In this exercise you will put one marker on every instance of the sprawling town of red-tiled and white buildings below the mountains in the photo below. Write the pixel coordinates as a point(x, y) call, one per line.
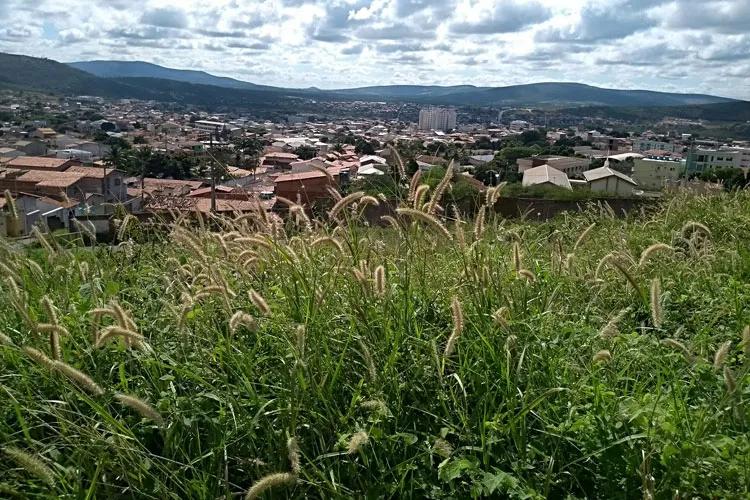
point(95, 154)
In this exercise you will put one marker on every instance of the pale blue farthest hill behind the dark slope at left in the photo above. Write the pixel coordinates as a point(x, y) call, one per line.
point(137, 69)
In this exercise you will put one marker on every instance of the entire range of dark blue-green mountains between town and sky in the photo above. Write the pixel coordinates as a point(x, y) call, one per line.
point(146, 81)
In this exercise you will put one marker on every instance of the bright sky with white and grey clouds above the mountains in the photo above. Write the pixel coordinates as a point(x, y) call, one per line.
point(671, 45)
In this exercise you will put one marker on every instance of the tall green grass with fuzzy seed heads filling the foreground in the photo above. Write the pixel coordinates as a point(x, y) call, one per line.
point(586, 357)
